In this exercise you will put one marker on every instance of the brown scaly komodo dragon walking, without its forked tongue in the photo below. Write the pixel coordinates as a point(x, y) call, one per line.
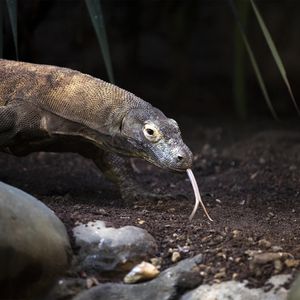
point(48, 108)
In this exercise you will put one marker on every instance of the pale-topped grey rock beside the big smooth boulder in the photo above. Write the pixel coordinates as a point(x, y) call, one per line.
point(104, 249)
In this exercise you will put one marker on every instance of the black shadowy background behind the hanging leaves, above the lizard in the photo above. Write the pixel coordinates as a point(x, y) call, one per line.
point(178, 55)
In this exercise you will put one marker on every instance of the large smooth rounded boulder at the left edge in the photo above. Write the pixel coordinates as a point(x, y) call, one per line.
point(34, 245)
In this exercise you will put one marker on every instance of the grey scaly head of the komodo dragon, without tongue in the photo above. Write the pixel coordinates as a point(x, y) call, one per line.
point(150, 135)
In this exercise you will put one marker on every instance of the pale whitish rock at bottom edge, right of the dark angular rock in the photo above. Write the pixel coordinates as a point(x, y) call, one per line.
point(233, 290)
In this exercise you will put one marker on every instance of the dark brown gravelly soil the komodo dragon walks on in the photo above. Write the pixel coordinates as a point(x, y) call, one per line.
point(249, 178)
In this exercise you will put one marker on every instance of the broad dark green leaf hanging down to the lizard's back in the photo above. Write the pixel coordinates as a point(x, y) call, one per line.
point(95, 11)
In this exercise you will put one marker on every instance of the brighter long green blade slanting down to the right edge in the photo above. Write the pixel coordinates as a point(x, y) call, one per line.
point(274, 52)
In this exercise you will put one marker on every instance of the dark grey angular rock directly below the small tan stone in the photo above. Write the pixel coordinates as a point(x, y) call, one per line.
point(168, 285)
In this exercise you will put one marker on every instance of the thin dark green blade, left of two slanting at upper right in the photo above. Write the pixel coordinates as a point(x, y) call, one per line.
point(253, 60)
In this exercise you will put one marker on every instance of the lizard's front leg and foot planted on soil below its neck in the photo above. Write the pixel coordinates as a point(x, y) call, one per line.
point(118, 169)
